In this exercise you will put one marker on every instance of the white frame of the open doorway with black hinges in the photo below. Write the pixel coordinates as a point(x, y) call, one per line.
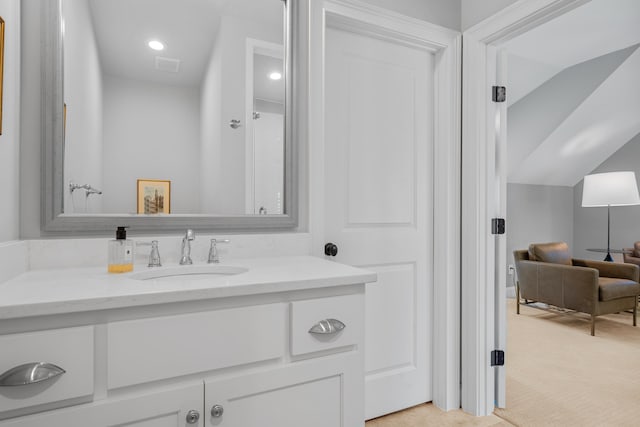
point(481, 170)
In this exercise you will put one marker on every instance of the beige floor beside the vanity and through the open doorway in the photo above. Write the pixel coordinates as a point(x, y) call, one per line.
point(557, 375)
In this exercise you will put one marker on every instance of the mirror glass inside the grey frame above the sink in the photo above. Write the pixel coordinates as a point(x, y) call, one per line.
point(189, 93)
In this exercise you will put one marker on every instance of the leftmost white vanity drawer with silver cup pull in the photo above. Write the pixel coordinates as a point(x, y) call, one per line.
point(70, 349)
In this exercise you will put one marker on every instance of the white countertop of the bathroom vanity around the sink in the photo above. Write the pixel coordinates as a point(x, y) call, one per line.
point(70, 290)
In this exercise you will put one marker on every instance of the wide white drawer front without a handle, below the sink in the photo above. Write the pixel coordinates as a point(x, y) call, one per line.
point(164, 347)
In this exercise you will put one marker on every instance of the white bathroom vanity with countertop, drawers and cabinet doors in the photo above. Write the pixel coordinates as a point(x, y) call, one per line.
point(257, 342)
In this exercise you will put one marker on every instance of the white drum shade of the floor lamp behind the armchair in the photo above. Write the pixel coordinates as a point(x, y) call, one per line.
point(610, 189)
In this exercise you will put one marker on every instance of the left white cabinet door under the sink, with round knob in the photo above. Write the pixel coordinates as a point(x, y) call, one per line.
point(167, 408)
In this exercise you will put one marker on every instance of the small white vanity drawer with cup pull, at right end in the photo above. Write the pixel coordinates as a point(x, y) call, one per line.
point(349, 310)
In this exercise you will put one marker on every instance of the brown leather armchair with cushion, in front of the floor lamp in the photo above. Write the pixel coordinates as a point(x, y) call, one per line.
point(548, 274)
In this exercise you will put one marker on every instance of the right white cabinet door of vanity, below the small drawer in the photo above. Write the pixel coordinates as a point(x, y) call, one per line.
point(325, 393)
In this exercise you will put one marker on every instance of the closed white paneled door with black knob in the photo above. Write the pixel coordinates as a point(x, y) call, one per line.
point(379, 202)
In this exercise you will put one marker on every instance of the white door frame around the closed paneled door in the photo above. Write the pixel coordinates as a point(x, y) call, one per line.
point(446, 46)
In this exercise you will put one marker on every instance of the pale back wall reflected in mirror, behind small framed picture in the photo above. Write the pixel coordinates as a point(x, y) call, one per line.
point(151, 131)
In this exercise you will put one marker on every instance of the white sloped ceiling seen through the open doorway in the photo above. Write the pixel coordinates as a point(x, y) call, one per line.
point(569, 112)
